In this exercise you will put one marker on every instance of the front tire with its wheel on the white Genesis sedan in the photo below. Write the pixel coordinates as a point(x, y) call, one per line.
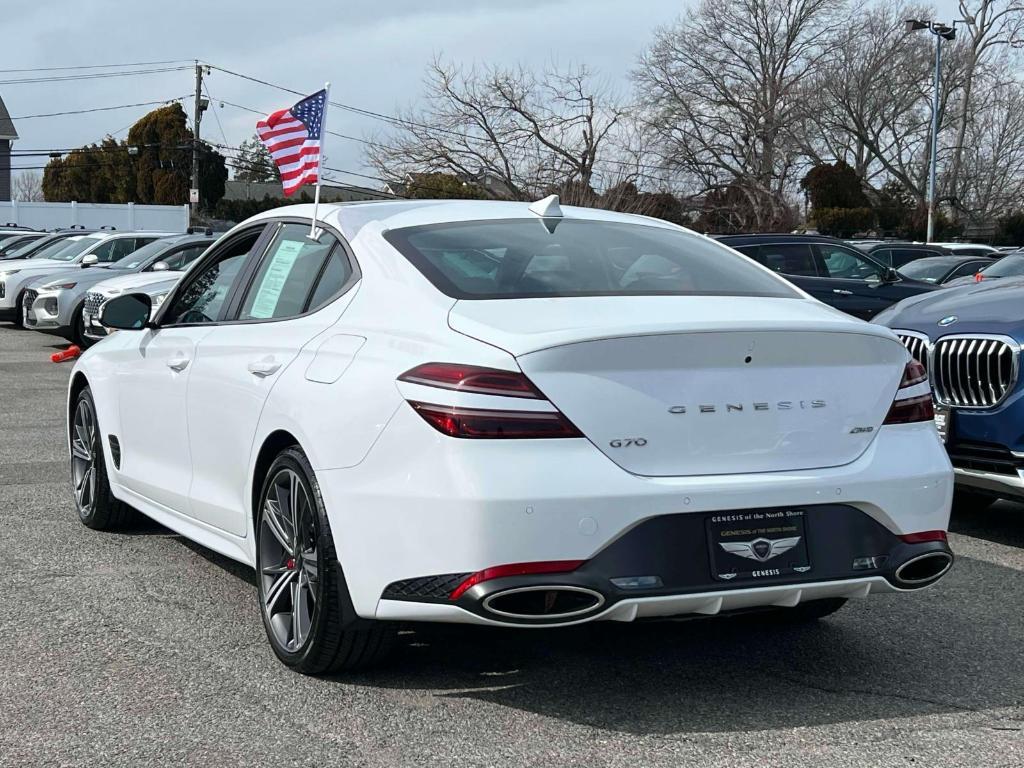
point(98, 508)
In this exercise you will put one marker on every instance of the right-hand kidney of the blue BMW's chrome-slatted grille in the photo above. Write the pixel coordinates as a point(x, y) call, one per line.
point(973, 371)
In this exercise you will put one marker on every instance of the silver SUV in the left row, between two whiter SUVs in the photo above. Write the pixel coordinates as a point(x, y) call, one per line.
point(54, 304)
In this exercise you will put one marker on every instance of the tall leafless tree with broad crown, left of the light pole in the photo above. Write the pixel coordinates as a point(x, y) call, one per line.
point(724, 90)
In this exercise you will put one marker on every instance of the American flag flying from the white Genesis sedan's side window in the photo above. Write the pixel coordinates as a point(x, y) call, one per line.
point(293, 138)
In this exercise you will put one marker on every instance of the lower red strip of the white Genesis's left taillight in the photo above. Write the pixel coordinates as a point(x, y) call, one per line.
point(481, 423)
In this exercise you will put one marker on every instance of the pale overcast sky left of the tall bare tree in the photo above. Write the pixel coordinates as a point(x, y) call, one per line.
point(374, 55)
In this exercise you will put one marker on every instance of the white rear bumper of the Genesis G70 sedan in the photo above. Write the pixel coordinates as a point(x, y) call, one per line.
point(422, 504)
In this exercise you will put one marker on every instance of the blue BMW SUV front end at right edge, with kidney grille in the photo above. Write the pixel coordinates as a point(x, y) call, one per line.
point(970, 339)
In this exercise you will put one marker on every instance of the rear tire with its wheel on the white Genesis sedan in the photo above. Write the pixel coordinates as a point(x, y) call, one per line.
point(334, 639)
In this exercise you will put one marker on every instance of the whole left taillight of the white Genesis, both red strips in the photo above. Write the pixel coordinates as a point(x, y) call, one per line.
point(458, 421)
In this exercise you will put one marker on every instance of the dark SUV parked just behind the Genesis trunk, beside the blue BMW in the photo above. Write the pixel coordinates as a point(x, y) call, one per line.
point(831, 271)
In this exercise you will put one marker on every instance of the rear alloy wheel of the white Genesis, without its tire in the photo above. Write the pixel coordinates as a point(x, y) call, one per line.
point(289, 561)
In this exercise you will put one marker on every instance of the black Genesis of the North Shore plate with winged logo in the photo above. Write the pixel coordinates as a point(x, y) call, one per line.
point(759, 545)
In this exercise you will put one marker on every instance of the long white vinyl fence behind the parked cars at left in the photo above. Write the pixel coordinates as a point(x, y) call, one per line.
point(122, 217)
